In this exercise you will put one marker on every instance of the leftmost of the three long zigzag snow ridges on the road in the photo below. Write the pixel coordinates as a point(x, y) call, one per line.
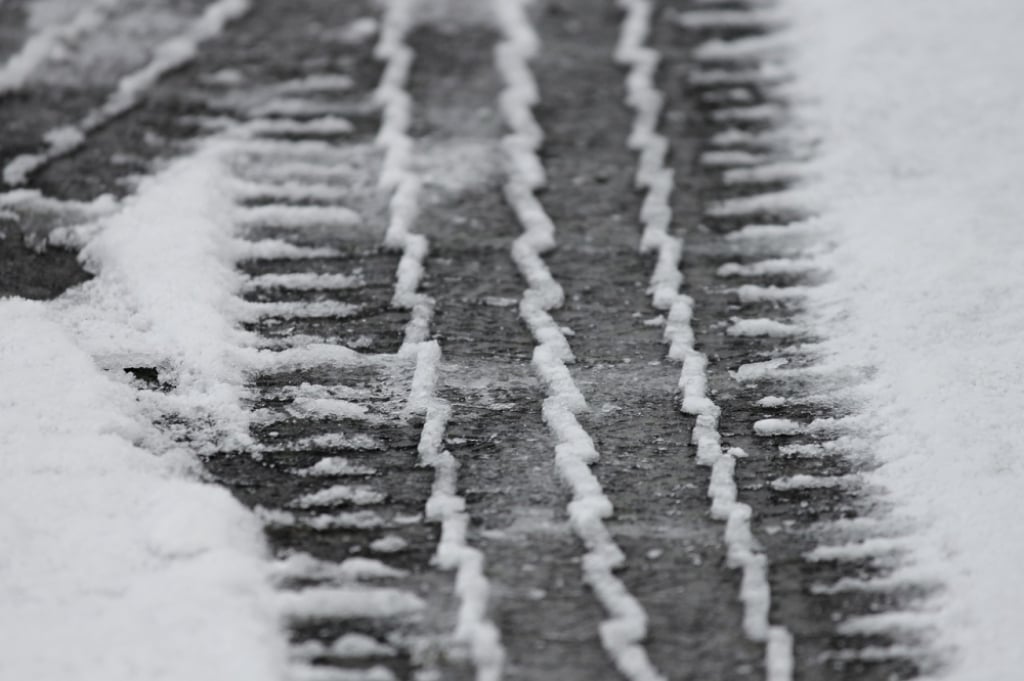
point(474, 628)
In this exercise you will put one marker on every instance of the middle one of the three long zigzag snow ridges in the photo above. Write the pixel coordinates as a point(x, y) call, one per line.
point(626, 628)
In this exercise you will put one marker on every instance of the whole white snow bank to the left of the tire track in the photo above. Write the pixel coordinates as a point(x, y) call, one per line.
point(111, 542)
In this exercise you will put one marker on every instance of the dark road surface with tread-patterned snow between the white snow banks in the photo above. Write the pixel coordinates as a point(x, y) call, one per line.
point(541, 402)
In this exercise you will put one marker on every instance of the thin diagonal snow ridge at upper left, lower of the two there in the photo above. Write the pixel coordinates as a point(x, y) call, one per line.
point(172, 55)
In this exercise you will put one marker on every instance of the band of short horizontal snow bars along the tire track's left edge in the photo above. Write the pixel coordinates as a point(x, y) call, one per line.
point(328, 471)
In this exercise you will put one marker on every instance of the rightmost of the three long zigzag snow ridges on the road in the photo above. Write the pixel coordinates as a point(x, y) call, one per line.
point(656, 215)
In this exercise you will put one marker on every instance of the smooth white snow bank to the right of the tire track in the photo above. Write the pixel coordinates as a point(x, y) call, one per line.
point(923, 120)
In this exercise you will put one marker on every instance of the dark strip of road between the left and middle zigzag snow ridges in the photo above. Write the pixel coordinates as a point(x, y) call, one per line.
point(496, 431)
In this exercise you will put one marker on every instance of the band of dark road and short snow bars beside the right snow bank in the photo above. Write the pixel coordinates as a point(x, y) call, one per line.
point(790, 415)
